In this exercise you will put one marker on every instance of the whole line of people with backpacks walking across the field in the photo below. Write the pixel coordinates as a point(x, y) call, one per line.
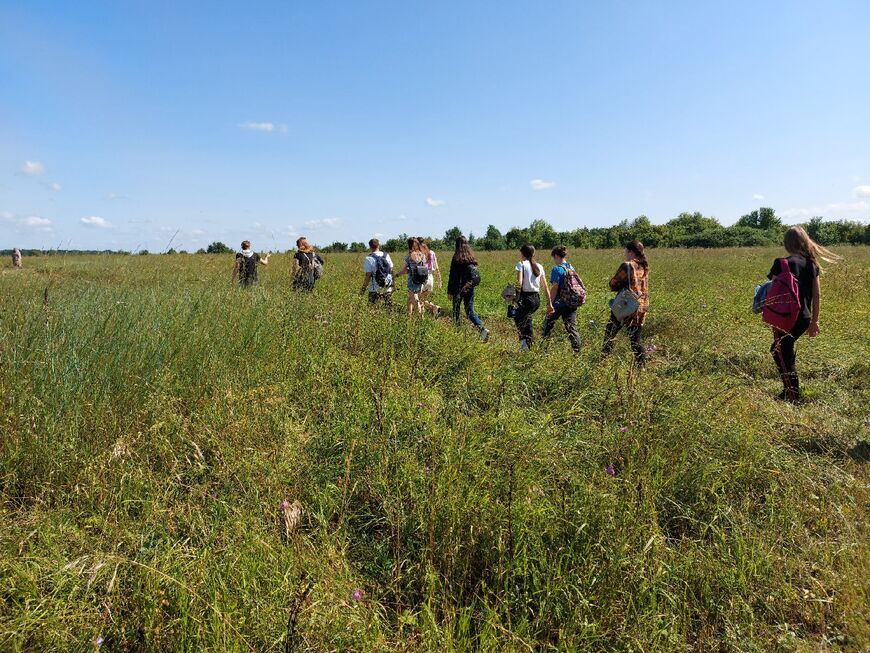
point(563, 292)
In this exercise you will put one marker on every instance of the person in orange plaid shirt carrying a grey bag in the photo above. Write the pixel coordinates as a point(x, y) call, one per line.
point(632, 276)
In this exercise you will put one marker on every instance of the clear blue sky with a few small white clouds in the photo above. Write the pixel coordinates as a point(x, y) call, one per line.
point(124, 122)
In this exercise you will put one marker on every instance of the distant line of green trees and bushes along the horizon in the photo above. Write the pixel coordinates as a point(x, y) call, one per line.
point(755, 229)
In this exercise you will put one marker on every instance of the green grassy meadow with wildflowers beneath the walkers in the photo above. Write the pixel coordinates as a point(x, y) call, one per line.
point(454, 497)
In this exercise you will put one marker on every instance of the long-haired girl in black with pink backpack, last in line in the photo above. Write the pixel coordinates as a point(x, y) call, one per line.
point(803, 261)
